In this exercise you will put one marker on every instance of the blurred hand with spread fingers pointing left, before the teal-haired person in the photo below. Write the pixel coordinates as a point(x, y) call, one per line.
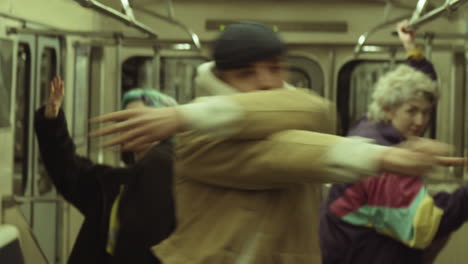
point(139, 127)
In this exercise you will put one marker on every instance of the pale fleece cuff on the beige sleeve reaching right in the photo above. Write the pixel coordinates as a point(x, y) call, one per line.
point(354, 158)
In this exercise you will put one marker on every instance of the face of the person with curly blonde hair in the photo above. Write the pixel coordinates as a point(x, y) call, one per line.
point(412, 117)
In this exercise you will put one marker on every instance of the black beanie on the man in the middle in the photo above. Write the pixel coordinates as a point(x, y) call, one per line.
point(244, 43)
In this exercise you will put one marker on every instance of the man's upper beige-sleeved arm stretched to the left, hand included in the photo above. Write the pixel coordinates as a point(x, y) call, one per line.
point(254, 115)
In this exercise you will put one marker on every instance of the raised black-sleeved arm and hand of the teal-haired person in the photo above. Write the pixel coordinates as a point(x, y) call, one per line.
point(76, 178)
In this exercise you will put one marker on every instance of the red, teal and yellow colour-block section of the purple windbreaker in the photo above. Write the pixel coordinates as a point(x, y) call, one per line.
point(393, 205)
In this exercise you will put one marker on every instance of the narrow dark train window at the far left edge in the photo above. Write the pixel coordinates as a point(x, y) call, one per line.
point(6, 60)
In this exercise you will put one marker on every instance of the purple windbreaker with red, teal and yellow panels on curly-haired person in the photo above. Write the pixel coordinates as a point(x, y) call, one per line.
point(387, 216)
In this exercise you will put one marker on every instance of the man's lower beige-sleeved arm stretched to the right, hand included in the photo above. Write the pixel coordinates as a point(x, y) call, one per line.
point(292, 157)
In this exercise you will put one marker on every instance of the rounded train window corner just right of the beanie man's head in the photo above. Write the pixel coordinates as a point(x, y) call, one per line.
point(306, 73)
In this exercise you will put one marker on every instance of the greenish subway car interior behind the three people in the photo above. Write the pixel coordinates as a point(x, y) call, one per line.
point(103, 48)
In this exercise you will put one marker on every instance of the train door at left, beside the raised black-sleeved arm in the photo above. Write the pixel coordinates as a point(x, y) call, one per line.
point(38, 61)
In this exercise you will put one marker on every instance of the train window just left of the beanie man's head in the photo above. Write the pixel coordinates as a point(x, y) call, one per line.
point(178, 77)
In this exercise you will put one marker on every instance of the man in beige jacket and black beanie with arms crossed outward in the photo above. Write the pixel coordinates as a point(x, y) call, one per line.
point(249, 170)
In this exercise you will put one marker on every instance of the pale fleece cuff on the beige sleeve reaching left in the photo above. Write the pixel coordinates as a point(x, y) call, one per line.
point(214, 116)
